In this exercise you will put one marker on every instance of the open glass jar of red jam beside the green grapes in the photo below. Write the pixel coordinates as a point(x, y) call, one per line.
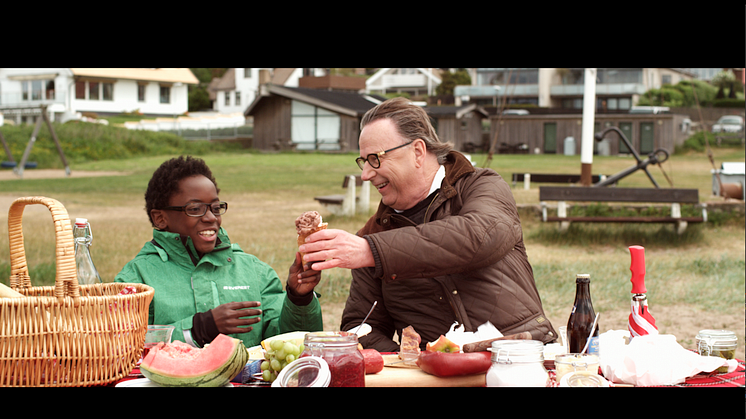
point(339, 350)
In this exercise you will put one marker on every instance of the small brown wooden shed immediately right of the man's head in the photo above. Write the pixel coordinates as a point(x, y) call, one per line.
point(461, 125)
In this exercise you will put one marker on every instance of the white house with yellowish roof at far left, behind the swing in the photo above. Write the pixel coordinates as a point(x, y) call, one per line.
point(70, 92)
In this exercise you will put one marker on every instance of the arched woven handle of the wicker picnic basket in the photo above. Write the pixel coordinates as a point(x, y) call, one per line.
point(66, 279)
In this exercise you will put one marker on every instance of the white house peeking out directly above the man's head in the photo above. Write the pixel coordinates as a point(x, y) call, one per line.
point(415, 81)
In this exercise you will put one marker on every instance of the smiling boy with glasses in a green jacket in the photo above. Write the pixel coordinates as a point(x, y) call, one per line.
point(204, 284)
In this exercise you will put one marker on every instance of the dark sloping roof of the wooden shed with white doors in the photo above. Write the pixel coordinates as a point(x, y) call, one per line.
point(351, 104)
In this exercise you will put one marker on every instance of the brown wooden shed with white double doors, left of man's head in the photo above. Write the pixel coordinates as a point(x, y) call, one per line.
point(307, 119)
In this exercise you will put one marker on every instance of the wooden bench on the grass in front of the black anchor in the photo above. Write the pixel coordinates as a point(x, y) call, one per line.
point(675, 197)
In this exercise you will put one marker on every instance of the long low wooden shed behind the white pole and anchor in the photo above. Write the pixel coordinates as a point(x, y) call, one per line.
point(549, 133)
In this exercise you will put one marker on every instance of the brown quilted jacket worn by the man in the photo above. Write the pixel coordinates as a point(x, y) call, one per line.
point(466, 263)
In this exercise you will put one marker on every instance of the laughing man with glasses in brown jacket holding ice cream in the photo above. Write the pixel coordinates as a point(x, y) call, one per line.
point(445, 245)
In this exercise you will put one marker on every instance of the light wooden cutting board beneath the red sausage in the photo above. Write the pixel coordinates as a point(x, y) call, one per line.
point(400, 375)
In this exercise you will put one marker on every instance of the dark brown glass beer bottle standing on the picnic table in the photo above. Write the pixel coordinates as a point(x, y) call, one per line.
point(581, 319)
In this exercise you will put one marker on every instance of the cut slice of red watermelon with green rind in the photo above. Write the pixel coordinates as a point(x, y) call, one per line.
point(177, 364)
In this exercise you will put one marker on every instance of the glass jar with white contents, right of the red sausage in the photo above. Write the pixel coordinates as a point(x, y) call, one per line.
point(517, 363)
